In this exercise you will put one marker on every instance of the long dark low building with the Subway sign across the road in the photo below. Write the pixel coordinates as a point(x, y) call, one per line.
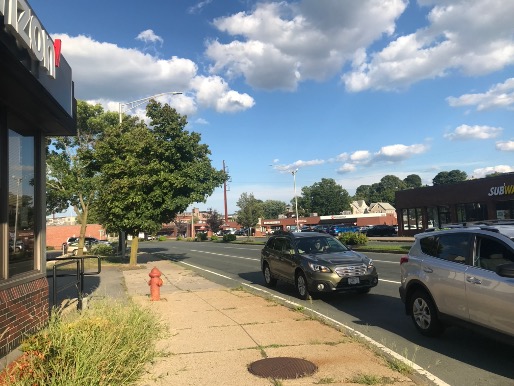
point(490, 198)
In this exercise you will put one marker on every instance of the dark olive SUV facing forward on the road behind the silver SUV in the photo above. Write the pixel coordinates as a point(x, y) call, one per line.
point(316, 263)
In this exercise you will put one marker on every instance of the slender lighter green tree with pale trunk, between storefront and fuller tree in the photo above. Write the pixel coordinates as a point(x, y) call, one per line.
point(72, 180)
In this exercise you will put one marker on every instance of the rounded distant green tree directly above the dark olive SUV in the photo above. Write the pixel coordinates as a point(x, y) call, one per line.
point(325, 197)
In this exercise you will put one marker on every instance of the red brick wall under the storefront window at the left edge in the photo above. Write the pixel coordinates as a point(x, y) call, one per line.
point(23, 309)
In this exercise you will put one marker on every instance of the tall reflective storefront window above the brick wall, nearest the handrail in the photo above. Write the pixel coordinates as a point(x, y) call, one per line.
point(21, 203)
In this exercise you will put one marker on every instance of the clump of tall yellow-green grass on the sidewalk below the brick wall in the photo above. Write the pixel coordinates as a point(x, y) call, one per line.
point(106, 344)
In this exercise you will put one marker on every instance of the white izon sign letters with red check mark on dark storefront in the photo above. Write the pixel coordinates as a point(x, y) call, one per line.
point(22, 23)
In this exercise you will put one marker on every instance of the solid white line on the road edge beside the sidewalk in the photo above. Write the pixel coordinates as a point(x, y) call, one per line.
point(418, 369)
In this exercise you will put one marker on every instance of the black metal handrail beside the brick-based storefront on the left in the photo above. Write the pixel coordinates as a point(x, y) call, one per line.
point(80, 273)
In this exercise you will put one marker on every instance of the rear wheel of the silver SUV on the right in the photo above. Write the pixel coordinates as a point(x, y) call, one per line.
point(424, 314)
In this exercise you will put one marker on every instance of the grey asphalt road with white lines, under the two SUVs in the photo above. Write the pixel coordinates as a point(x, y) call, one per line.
point(459, 357)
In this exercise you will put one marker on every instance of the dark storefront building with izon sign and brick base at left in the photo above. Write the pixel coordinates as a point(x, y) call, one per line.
point(36, 101)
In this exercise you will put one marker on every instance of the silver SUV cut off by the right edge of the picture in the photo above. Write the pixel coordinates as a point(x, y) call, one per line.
point(461, 276)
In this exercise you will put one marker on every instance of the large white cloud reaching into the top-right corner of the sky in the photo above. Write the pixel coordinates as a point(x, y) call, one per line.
point(473, 37)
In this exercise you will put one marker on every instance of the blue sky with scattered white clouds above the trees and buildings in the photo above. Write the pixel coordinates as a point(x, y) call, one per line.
point(352, 90)
